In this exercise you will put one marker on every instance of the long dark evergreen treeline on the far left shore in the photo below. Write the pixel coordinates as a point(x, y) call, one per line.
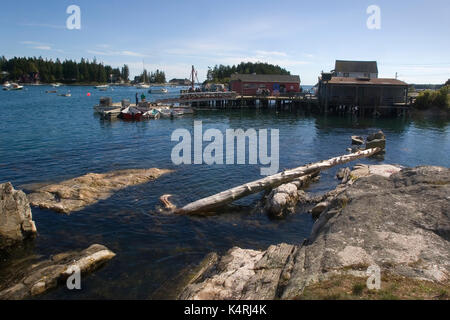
point(31, 70)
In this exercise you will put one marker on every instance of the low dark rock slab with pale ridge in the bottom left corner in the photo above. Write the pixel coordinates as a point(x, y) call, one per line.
point(48, 274)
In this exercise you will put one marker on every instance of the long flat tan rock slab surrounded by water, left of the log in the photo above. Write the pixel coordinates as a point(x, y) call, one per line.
point(78, 193)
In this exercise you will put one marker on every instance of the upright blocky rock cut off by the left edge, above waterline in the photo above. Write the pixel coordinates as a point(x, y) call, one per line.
point(16, 222)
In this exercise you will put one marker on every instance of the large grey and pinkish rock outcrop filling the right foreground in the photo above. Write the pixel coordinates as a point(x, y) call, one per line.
point(399, 222)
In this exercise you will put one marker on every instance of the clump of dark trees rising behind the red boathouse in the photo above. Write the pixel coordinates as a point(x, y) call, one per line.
point(221, 73)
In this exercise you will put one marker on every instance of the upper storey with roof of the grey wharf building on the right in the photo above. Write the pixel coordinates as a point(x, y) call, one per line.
point(356, 69)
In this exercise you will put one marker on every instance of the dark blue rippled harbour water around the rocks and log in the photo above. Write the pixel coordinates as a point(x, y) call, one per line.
point(45, 137)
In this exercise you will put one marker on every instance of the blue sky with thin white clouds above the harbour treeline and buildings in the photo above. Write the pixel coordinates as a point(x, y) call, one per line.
point(305, 37)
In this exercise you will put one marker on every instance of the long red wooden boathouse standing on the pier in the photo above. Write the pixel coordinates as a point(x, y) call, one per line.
point(251, 84)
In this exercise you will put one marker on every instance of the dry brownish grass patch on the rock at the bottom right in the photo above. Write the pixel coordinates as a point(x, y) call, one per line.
point(393, 287)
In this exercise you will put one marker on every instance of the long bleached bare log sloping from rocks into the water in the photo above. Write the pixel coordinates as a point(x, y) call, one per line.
point(210, 203)
